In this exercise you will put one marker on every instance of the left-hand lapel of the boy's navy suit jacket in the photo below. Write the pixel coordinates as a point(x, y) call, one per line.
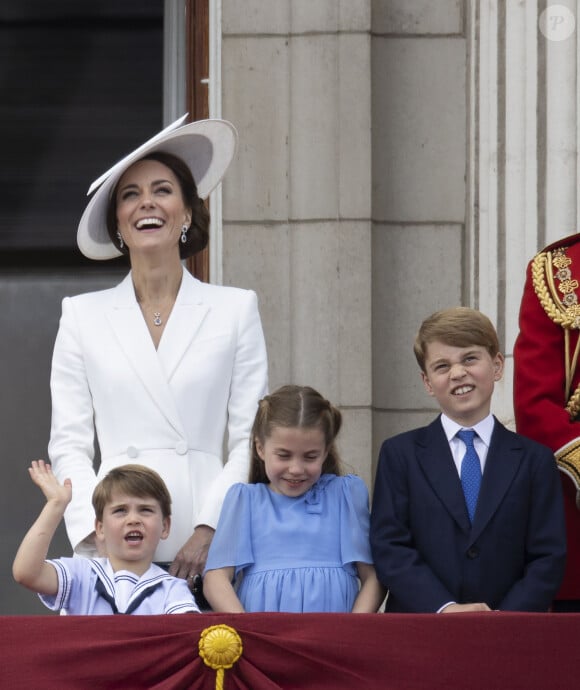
point(434, 456)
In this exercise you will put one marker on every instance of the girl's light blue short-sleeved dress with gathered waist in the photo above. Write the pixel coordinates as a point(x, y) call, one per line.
point(295, 554)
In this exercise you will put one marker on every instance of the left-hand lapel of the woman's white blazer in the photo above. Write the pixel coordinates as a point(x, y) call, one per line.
point(135, 341)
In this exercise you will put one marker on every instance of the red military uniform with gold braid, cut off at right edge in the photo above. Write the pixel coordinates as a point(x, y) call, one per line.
point(547, 378)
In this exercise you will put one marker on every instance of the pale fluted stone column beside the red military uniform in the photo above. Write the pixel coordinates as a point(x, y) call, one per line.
point(523, 159)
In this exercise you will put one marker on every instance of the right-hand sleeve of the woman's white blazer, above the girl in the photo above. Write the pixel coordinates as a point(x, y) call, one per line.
point(249, 383)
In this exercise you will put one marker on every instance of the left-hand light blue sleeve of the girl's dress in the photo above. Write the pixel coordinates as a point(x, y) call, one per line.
point(231, 545)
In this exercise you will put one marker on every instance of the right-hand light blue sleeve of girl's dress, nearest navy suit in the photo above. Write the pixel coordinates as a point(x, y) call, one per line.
point(354, 520)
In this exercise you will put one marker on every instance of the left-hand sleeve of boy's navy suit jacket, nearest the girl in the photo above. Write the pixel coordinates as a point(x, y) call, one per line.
point(398, 563)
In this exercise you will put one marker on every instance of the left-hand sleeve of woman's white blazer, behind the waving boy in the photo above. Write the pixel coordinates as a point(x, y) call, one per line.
point(71, 447)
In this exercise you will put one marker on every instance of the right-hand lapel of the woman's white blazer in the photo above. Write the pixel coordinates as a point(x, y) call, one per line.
point(183, 325)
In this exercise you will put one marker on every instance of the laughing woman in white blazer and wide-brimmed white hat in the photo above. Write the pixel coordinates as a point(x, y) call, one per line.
point(161, 366)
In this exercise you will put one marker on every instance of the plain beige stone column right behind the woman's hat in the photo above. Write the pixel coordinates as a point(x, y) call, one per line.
point(296, 83)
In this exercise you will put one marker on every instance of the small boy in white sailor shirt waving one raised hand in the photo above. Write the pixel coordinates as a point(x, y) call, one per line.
point(133, 512)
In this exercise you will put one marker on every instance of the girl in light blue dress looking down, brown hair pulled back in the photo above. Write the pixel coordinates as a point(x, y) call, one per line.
point(295, 538)
